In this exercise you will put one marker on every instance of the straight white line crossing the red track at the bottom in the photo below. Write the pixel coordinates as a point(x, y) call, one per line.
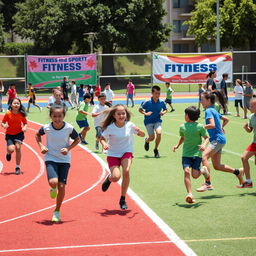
point(84, 246)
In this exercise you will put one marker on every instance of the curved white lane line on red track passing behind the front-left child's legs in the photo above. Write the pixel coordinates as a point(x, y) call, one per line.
point(103, 173)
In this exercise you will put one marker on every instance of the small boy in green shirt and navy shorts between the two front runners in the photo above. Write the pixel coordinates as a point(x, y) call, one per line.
point(81, 118)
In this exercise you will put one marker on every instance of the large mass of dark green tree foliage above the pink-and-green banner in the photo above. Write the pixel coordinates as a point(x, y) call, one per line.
point(58, 26)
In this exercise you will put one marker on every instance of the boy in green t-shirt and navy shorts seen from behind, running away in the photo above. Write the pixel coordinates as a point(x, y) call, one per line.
point(191, 134)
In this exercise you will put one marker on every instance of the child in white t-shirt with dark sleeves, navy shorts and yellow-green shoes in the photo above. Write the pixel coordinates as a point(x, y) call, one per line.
point(57, 155)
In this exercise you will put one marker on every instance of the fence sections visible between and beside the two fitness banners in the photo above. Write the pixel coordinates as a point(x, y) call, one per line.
point(118, 68)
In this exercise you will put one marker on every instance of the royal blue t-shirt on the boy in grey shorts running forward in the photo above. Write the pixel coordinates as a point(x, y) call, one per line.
point(151, 106)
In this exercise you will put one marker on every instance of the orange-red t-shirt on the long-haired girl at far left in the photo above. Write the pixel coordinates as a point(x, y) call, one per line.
point(14, 121)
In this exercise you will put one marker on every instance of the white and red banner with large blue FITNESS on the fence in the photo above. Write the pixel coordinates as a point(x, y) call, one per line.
point(190, 68)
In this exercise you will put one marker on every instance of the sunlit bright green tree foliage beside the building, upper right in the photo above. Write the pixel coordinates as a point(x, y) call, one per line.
point(237, 22)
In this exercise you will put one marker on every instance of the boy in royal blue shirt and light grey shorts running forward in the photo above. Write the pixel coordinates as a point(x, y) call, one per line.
point(153, 109)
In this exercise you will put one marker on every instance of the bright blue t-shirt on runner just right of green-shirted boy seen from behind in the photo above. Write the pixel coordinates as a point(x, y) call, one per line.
point(215, 133)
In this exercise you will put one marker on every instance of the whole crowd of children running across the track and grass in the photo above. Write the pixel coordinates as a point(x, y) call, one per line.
point(114, 131)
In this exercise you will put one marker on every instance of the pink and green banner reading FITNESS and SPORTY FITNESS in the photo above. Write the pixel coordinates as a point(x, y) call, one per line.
point(48, 71)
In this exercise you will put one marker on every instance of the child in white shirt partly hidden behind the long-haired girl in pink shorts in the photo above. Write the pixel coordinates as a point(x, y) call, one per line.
point(98, 113)
